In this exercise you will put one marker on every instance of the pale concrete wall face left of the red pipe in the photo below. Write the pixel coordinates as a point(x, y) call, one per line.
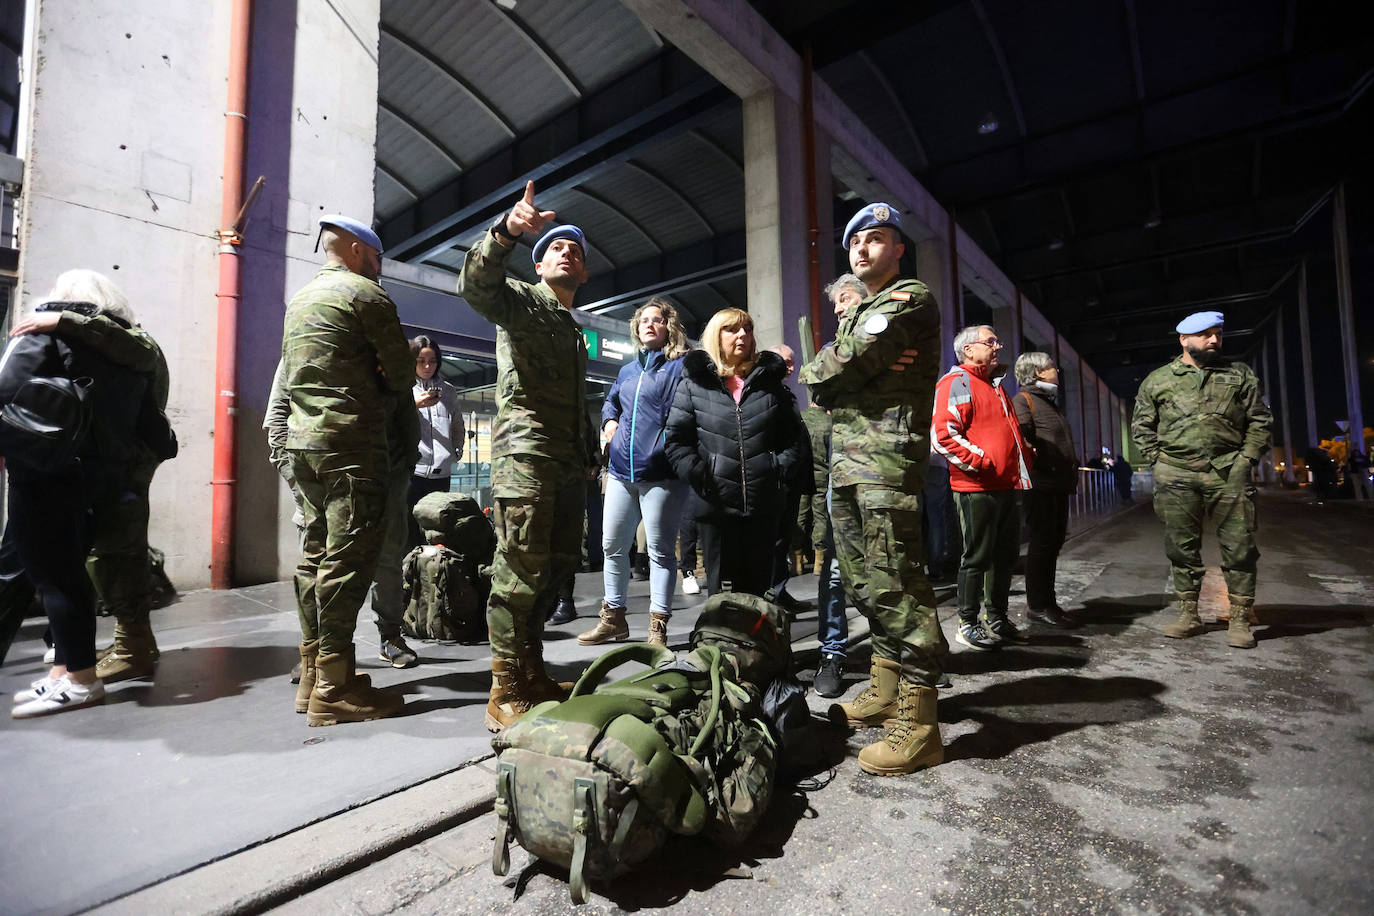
point(123, 176)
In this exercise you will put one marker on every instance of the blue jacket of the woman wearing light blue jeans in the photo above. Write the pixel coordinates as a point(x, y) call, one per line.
point(640, 403)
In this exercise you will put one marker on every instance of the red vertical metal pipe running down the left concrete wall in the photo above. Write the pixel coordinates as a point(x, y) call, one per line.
point(223, 481)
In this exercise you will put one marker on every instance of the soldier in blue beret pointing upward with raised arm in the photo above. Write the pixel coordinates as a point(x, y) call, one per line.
point(543, 444)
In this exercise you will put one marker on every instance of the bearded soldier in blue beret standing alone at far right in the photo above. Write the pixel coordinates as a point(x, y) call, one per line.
point(1203, 426)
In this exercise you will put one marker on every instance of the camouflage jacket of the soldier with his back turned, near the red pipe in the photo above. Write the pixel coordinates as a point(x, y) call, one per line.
point(344, 358)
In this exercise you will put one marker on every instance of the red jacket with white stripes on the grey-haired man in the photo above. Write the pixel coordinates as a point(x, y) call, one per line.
point(975, 429)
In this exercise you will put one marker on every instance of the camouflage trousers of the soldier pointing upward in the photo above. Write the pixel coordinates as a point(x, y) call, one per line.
point(539, 513)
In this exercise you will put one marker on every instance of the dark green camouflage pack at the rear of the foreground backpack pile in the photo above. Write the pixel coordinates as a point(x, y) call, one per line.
point(751, 630)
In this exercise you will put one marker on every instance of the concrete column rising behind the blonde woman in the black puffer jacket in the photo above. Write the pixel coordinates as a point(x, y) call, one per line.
point(776, 218)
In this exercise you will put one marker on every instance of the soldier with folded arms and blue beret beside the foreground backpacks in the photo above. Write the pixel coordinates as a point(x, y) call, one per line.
point(879, 381)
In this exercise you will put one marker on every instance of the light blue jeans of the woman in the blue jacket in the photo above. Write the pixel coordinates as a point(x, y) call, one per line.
point(659, 503)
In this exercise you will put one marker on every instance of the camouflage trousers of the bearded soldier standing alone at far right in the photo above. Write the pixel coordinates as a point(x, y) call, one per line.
point(1185, 501)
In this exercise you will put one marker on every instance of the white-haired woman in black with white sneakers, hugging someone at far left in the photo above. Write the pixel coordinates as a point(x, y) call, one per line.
point(86, 332)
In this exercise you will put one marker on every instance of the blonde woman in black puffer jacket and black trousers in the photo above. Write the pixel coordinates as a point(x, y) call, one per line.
point(734, 435)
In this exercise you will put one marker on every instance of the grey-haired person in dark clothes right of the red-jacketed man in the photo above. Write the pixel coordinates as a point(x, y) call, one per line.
point(1055, 477)
